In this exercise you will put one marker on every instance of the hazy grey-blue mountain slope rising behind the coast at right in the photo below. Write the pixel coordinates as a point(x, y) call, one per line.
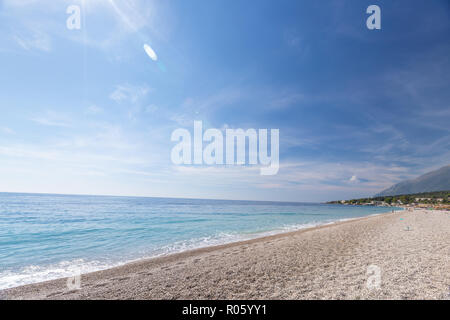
point(438, 180)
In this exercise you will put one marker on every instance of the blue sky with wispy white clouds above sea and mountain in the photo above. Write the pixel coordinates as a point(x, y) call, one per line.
point(90, 111)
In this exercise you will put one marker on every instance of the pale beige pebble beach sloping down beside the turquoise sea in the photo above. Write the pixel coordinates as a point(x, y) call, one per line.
point(208, 273)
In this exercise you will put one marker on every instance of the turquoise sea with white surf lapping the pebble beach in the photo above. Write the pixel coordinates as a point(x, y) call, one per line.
point(46, 237)
